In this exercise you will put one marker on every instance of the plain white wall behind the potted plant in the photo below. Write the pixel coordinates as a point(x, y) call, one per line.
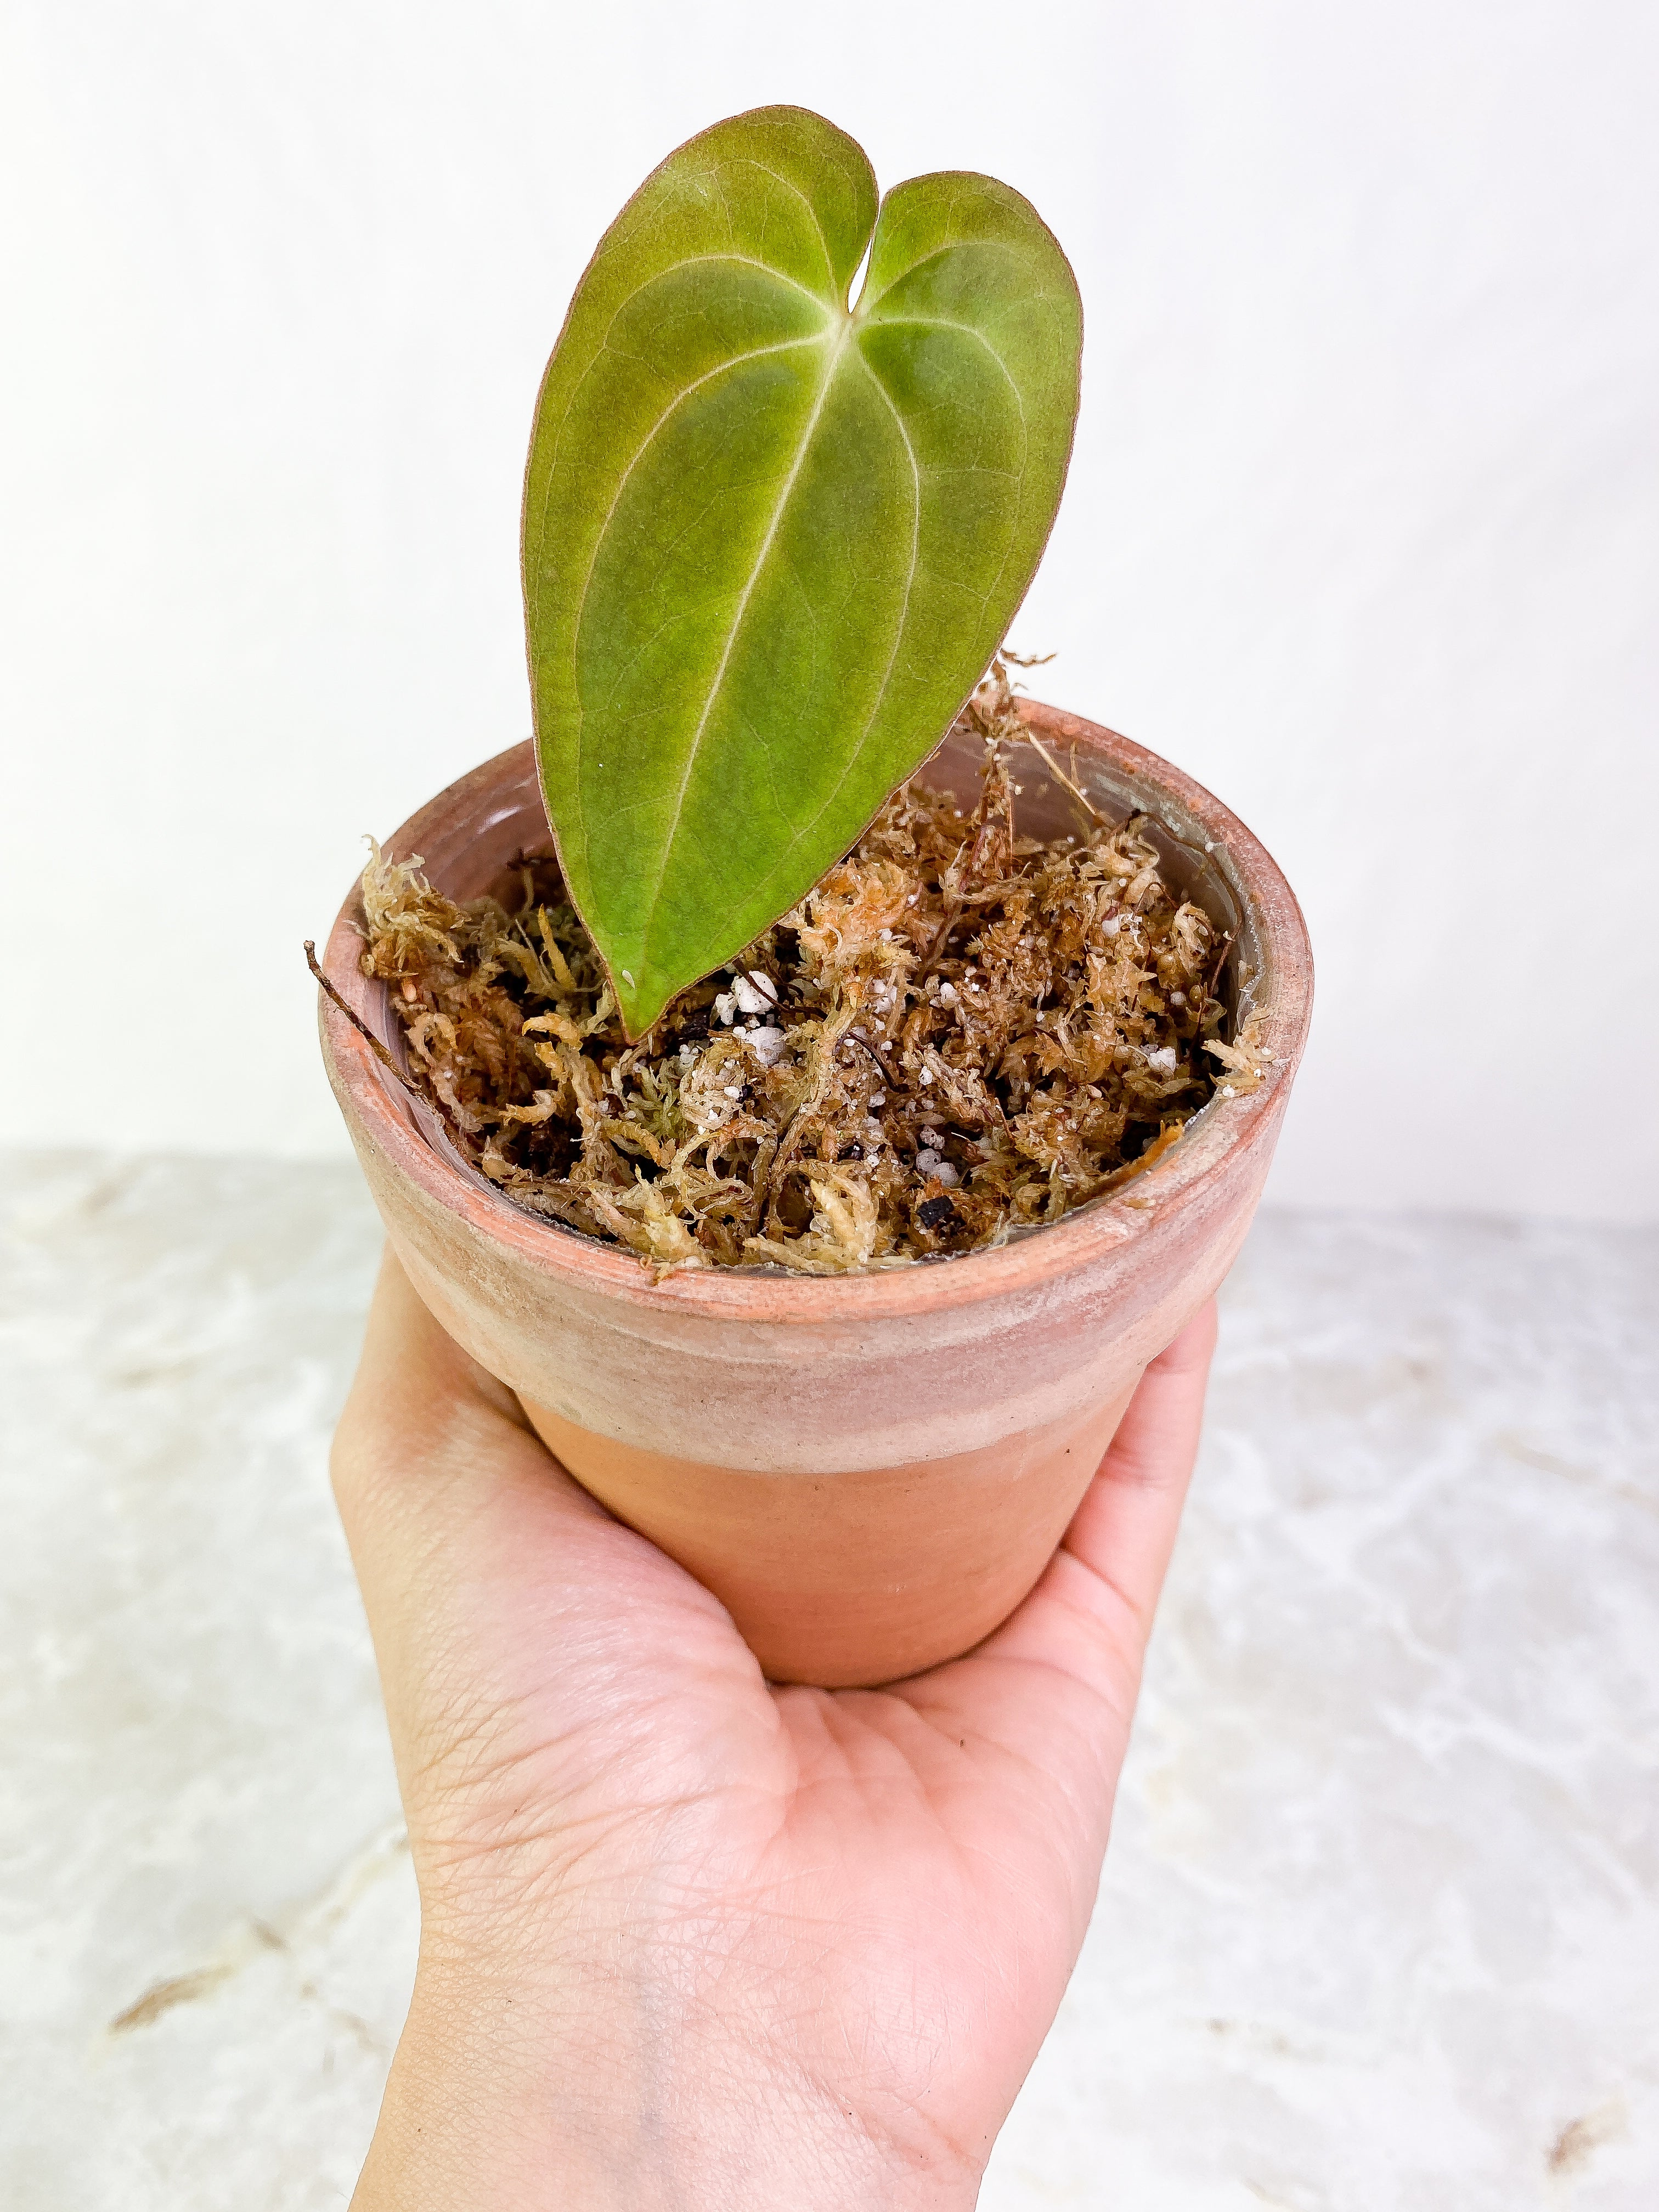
point(1361, 525)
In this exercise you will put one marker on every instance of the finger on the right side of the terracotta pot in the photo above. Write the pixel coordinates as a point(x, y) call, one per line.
point(1094, 1609)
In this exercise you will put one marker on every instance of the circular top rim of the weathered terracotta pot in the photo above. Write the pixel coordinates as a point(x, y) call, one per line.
point(1282, 1014)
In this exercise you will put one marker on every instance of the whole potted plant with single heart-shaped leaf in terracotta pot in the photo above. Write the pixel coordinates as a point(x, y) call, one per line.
point(820, 1149)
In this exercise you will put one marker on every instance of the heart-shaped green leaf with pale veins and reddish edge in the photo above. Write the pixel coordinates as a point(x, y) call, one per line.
point(773, 541)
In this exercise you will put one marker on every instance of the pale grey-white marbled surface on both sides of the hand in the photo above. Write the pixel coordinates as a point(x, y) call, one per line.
point(1381, 1919)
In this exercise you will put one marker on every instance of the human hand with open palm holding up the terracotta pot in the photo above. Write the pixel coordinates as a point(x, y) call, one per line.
point(689, 1939)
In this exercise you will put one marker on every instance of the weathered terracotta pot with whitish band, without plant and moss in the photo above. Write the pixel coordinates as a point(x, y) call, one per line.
point(870, 1472)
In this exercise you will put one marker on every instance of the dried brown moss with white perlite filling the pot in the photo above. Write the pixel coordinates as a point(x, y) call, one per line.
point(957, 1034)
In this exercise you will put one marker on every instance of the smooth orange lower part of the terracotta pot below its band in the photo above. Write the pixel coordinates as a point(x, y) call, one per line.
point(848, 1580)
